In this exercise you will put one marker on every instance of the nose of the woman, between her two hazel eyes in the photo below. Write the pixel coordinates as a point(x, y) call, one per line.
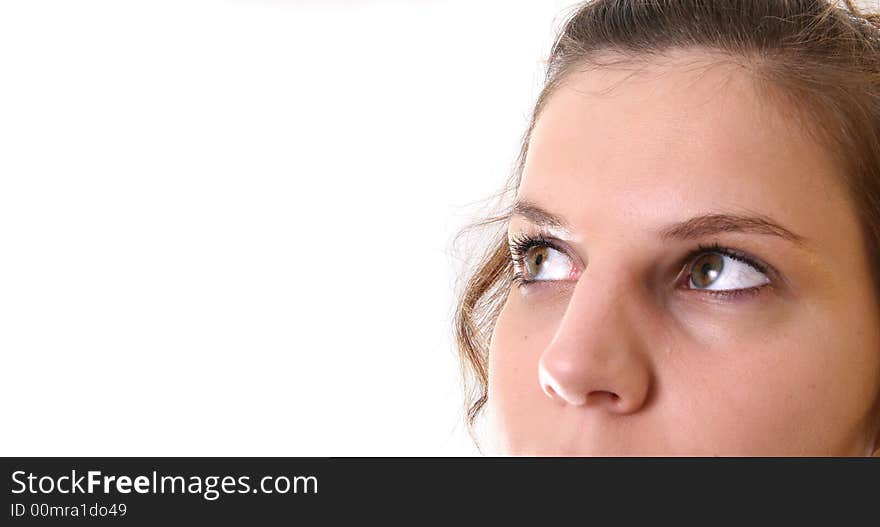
point(597, 356)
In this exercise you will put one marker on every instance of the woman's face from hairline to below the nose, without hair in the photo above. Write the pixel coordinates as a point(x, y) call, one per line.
point(694, 280)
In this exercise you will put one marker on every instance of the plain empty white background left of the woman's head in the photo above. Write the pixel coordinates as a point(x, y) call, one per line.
point(225, 227)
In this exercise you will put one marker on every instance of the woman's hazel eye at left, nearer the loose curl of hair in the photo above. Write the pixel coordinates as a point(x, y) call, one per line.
point(536, 259)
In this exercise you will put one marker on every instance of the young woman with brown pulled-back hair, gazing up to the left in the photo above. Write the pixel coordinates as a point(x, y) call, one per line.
point(690, 260)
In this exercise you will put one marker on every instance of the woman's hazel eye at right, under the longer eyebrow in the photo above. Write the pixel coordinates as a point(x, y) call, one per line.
point(720, 271)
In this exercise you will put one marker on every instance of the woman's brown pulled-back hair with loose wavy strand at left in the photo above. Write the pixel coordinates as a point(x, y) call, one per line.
point(819, 58)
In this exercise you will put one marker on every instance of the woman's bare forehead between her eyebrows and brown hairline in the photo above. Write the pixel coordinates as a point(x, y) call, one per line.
point(654, 142)
